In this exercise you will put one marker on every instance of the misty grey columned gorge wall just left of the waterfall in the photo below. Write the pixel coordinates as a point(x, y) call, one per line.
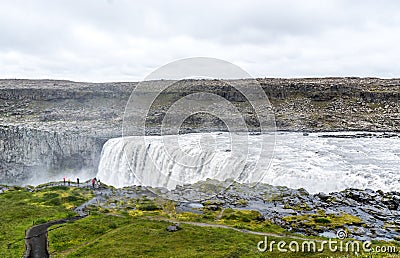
point(29, 155)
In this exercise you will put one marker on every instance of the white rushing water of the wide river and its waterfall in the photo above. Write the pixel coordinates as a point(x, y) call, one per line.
point(314, 163)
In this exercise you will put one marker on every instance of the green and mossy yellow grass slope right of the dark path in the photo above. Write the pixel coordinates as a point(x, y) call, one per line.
point(142, 233)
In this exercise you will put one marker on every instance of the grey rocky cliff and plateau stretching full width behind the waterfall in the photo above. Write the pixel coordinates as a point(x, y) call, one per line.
point(49, 125)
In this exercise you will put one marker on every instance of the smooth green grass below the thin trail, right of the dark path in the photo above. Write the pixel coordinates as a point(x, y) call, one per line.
point(103, 235)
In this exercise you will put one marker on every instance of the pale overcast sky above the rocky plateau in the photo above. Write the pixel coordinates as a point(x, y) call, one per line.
point(121, 40)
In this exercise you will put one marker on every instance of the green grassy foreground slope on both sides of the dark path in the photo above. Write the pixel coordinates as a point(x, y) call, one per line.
point(130, 233)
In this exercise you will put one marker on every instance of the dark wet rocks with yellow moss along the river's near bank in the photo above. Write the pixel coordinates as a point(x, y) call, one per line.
point(364, 214)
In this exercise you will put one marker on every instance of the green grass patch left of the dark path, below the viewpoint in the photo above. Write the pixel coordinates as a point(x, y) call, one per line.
point(20, 209)
